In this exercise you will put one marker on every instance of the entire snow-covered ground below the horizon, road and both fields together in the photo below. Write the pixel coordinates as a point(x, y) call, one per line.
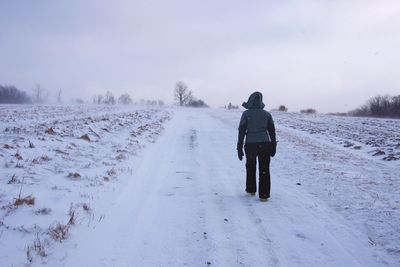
point(138, 195)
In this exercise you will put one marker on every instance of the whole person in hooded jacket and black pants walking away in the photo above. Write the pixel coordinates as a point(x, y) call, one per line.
point(257, 133)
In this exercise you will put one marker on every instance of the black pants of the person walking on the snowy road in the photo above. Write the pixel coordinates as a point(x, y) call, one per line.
point(262, 152)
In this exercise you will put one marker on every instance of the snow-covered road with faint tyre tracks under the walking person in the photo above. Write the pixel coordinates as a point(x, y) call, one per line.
point(185, 205)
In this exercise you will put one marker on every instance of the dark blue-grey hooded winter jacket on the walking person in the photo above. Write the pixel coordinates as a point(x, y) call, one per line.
point(256, 124)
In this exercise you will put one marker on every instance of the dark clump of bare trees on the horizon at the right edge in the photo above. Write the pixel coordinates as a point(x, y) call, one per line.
point(379, 106)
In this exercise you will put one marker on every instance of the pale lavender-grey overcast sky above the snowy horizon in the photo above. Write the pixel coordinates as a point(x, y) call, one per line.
point(329, 55)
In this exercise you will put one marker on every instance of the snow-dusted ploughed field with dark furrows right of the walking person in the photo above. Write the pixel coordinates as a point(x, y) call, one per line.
point(377, 137)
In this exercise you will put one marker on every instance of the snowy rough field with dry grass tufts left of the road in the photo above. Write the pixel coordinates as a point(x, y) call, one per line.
point(58, 164)
